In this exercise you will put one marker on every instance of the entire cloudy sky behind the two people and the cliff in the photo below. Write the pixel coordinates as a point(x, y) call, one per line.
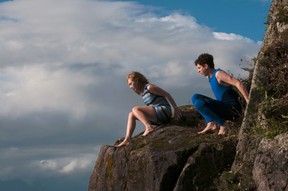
point(63, 64)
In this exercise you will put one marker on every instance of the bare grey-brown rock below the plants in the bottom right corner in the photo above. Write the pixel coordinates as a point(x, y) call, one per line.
point(270, 170)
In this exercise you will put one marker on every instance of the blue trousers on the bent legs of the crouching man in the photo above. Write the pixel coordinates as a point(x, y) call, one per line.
point(228, 108)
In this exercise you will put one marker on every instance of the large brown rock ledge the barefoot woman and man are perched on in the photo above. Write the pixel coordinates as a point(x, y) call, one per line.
point(173, 157)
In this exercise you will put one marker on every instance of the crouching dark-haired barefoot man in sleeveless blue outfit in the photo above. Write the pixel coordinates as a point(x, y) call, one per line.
point(227, 105)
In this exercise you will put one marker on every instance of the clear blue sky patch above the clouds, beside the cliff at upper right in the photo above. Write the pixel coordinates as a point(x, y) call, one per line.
point(244, 17)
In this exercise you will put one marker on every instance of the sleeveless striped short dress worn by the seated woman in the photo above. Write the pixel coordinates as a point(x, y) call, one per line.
point(160, 104)
